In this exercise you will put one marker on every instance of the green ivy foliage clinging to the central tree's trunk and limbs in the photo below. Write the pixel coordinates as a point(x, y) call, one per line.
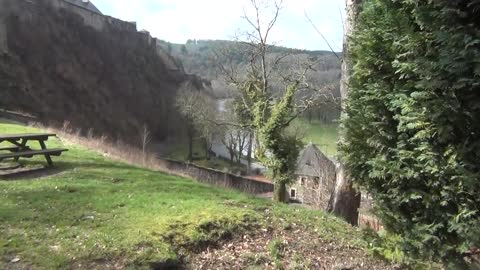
point(278, 149)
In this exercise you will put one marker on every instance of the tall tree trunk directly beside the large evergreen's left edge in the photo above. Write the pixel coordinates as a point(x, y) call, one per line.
point(345, 200)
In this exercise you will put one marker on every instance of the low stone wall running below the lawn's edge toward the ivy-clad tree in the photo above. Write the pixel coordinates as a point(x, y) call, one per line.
point(218, 178)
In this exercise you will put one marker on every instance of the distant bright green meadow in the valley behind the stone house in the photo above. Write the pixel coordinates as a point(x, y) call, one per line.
point(325, 136)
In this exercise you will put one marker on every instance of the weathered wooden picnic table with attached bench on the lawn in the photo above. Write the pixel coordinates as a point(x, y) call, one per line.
point(20, 149)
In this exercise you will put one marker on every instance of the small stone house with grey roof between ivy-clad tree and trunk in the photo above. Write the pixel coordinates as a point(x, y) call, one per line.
point(315, 178)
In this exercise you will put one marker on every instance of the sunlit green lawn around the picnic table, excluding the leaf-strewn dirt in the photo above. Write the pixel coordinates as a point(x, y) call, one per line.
point(98, 210)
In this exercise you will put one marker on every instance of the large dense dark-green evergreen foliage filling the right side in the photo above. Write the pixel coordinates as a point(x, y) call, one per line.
point(412, 135)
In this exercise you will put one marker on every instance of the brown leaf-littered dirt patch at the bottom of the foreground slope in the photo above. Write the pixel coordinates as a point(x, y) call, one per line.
point(292, 247)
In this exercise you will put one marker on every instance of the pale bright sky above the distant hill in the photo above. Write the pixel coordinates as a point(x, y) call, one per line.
point(177, 21)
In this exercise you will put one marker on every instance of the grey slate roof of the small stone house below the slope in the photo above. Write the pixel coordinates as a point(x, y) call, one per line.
point(311, 161)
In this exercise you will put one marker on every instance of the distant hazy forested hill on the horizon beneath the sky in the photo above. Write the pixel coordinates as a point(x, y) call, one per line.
point(201, 57)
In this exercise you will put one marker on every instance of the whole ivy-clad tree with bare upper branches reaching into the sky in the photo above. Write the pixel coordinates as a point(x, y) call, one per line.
point(267, 99)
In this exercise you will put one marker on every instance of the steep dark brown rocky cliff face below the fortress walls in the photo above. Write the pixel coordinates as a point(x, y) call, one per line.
point(61, 65)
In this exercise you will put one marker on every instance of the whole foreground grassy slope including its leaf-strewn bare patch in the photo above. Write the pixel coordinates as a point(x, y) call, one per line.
point(95, 213)
